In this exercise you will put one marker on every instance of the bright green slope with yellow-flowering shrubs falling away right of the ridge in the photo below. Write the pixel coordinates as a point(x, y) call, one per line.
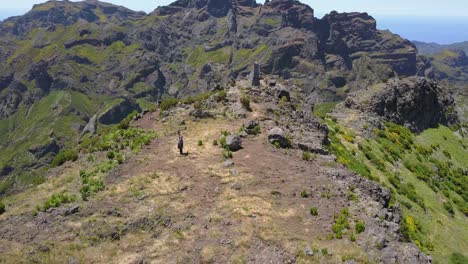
point(427, 222)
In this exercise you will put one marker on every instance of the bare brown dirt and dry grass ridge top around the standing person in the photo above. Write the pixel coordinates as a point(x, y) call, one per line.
point(161, 207)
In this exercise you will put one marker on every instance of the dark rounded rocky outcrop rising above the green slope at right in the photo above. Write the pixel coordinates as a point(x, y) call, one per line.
point(414, 102)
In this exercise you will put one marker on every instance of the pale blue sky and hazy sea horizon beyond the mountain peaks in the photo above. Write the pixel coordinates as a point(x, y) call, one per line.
point(425, 20)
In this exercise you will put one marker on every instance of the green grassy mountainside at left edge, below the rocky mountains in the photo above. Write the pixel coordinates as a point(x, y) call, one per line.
point(46, 120)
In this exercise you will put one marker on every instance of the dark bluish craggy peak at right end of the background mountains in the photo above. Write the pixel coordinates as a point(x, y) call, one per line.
point(353, 35)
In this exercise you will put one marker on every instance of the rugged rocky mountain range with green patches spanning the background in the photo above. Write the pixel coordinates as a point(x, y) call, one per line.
point(117, 46)
